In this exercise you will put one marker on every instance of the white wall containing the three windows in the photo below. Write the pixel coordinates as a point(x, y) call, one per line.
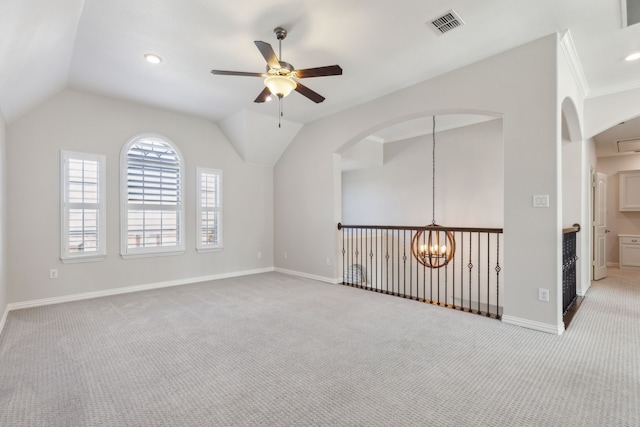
point(74, 120)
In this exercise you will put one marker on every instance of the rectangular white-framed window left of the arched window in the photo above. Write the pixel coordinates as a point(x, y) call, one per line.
point(83, 207)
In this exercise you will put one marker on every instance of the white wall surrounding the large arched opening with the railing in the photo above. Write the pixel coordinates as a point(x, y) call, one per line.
point(520, 85)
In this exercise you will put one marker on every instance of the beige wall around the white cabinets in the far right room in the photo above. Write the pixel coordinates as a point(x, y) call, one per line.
point(618, 222)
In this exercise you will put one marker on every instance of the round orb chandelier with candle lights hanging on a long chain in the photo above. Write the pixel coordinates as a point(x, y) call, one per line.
point(433, 247)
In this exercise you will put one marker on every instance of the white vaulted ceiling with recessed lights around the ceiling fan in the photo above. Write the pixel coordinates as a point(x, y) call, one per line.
point(382, 46)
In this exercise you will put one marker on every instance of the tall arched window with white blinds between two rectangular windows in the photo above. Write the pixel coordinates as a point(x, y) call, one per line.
point(152, 214)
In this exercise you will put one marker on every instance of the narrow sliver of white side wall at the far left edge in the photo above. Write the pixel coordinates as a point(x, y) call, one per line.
point(3, 221)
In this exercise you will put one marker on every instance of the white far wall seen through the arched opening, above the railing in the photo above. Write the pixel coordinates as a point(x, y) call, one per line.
point(469, 181)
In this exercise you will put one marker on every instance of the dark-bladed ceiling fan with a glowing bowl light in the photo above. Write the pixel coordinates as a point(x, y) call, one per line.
point(281, 78)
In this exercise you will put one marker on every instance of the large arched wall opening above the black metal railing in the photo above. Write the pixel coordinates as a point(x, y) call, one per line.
point(387, 176)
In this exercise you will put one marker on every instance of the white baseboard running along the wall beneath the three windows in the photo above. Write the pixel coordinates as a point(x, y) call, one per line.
point(128, 289)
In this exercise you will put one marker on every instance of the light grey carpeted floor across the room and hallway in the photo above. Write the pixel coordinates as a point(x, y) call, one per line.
point(272, 349)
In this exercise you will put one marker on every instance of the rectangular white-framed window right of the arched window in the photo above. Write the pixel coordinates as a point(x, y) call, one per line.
point(209, 209)
